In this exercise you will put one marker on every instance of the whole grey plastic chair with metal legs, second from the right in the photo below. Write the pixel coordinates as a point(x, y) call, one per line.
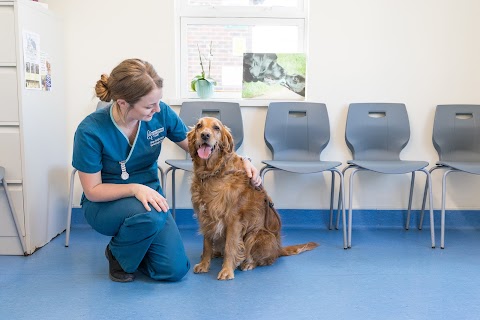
point(376, 133)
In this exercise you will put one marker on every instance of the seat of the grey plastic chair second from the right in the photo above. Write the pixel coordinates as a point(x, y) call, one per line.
point(389, 166)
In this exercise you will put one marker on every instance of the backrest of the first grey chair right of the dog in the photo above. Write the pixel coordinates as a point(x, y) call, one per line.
point(297, 131)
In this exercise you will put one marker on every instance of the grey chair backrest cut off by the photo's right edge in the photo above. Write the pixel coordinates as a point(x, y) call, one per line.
point(456, 132)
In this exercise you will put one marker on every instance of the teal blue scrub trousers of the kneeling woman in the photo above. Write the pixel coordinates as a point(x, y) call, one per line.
point(145, 240)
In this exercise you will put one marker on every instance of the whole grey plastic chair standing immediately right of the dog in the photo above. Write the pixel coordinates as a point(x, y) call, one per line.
point(296, 133)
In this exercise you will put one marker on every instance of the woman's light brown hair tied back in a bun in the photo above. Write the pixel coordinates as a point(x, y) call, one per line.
point(130, 80)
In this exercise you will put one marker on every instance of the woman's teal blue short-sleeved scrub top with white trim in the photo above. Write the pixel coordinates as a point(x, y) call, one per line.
point(99, 145)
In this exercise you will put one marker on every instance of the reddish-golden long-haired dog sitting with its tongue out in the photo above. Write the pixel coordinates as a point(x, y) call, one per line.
point(237, 220)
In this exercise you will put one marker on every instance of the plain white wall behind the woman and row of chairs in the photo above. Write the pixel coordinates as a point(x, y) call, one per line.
point(421, 53)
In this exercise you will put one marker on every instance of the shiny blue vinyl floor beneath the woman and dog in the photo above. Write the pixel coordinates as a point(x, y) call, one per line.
point(389, 273)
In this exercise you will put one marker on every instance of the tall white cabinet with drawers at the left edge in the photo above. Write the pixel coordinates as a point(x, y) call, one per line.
point(33, 146)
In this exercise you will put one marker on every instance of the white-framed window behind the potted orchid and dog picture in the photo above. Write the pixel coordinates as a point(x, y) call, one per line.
point(234, 27)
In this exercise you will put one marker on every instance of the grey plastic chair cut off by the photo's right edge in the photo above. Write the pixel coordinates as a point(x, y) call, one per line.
point(456, 137)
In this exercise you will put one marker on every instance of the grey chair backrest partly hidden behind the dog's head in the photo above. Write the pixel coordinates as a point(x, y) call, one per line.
point(227, 112)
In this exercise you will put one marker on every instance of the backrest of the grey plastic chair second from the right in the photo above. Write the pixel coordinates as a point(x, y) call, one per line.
point(377, 131)
